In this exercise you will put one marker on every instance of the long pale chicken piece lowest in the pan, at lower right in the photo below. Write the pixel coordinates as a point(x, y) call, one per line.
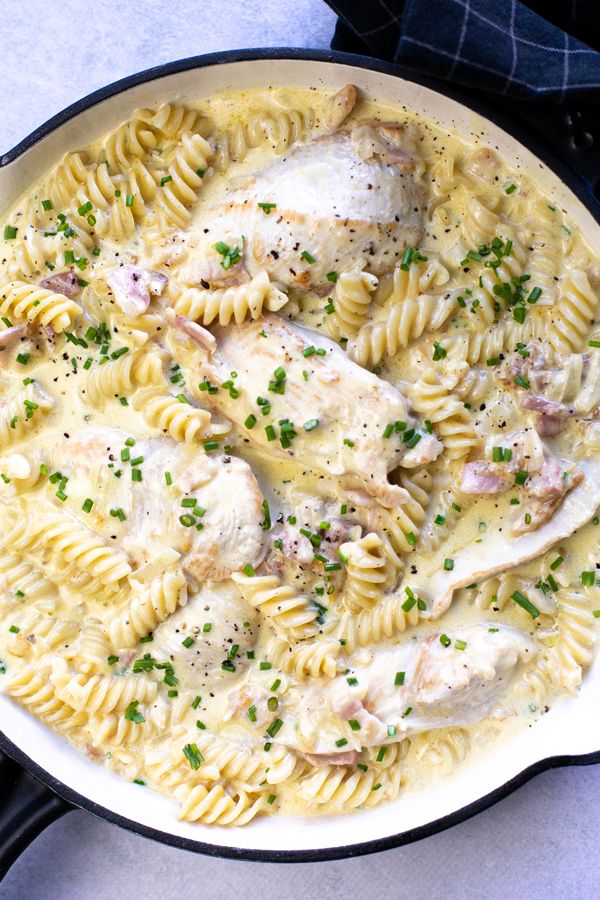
point(454, 683)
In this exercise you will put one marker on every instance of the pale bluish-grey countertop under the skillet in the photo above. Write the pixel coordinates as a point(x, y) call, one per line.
point(541, 841)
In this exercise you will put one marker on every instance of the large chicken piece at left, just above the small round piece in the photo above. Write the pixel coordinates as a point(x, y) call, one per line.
point(224, 487)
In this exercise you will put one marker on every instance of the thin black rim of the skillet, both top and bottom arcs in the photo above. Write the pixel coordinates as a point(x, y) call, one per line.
point(574, 182)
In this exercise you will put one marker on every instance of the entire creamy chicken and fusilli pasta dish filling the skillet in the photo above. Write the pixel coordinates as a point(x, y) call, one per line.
point(298, 424)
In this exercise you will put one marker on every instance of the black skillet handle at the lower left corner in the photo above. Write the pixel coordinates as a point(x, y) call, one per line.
point(26, 807)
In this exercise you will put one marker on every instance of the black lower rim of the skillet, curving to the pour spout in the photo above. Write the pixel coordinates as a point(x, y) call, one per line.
point(296, 856)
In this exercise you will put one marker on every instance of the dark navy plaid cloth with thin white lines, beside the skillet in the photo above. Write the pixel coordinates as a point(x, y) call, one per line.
point(539, 50)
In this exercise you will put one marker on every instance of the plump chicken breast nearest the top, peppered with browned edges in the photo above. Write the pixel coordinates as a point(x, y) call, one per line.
point(340, 198)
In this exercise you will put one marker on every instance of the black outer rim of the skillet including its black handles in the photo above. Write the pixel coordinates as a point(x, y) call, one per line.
point(567, 139)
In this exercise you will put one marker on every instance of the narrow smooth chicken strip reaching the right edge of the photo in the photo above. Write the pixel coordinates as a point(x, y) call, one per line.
point(497, 552)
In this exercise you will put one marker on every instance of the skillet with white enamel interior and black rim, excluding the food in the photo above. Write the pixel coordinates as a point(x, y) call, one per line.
point(41, 776)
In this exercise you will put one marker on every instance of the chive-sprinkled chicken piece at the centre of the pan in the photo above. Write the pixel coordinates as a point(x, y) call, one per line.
point(300, 396)
